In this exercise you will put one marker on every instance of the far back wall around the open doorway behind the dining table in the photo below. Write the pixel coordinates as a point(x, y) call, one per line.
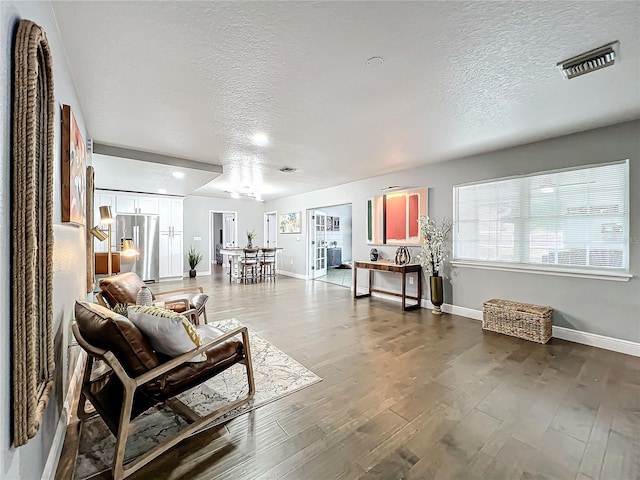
point(196, 224)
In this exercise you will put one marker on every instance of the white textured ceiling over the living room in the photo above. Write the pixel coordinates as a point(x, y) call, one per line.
point(197, 79)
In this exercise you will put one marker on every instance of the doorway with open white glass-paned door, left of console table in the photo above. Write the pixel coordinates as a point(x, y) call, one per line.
point(330, 244)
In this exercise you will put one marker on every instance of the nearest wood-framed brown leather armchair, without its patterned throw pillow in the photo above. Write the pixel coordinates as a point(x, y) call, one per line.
point(139, 378)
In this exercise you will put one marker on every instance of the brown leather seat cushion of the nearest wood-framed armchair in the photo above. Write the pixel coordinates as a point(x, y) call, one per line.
point(186, 376)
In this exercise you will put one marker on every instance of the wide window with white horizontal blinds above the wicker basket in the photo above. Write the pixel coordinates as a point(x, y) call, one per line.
point(575, 219)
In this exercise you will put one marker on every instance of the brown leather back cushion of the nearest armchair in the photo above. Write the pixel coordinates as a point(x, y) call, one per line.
point(106, 329)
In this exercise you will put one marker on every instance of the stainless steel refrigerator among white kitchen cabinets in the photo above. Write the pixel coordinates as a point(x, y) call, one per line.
point(144, 230)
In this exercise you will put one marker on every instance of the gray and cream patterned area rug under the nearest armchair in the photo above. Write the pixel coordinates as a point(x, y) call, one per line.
point(276, 375)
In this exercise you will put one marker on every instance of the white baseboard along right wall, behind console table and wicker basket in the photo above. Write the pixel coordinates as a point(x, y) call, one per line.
point(577, 336)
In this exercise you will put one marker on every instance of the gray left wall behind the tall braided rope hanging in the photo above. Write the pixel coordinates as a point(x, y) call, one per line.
point(28, 462)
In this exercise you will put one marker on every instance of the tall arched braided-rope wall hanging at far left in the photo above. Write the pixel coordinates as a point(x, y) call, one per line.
point(32, 231)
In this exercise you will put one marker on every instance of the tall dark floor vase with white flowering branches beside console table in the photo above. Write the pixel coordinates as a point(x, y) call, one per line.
point(433, 255)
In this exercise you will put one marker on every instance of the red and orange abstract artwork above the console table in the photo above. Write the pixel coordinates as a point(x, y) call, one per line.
point(392, 219)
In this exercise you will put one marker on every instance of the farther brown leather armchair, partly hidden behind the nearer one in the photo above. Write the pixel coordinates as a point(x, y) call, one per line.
point(124, 288)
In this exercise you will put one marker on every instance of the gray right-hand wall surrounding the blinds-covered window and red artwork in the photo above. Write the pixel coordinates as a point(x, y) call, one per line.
point(598, 306)
